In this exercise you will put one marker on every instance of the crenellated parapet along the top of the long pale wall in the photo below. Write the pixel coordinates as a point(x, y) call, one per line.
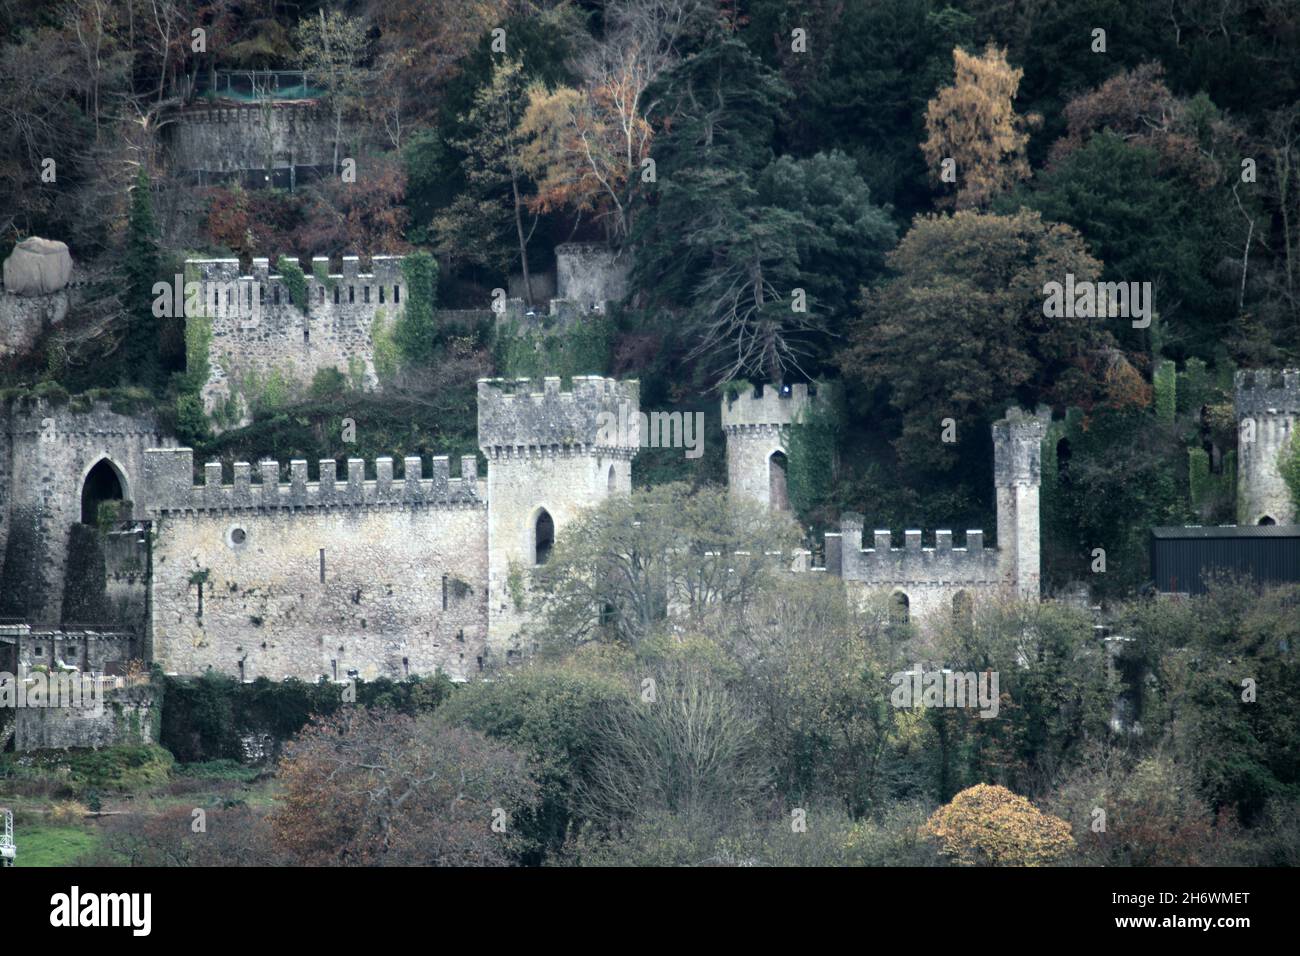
point(170, 486)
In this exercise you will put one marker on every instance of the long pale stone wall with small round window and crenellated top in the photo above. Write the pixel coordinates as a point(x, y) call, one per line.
point(341, 578)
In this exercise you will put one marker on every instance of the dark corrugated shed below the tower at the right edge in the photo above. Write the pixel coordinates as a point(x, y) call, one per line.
point(1184, 559)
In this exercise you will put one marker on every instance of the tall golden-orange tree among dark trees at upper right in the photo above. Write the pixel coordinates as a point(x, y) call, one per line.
point(977, 140)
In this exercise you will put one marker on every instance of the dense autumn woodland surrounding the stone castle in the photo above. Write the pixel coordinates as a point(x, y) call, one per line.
point(743, 155)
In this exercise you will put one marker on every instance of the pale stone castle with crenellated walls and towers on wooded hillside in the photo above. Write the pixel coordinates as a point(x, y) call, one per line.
point(111, 551)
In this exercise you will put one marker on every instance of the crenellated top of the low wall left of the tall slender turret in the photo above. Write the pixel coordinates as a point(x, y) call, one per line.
point(883, 564)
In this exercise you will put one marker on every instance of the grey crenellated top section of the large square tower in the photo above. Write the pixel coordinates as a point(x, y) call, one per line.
point(513, 416)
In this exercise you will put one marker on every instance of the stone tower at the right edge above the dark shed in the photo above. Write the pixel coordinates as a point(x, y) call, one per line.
point(1267, 408)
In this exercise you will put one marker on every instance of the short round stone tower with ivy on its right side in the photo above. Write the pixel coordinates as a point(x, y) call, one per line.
point(757, 425)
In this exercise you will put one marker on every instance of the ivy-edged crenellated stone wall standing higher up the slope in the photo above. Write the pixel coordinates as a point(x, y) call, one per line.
point(259, 334)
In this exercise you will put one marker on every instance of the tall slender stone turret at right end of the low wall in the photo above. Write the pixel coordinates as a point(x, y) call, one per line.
point(1017, 478)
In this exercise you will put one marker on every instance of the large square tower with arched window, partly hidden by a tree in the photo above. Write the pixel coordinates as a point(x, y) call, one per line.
point(551, 456)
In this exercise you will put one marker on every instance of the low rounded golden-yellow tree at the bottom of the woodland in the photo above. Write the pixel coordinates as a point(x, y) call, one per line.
point(991, 827)
